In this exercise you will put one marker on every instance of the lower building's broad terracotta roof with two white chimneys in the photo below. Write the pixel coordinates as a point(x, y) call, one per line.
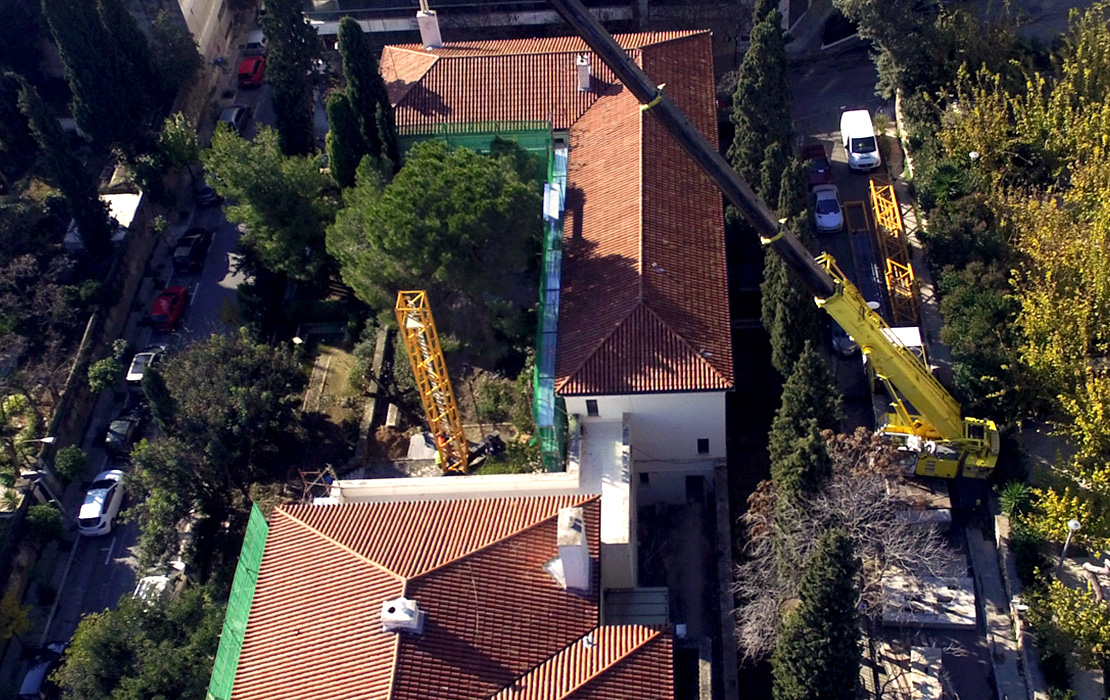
point(475, 567)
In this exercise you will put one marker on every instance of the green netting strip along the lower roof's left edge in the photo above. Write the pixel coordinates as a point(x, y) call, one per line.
point(239, 607)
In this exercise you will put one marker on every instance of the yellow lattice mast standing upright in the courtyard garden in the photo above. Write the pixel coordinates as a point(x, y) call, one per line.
point(418, 329)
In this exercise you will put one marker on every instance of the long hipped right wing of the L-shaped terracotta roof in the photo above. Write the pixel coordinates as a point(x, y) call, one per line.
point(660, 277)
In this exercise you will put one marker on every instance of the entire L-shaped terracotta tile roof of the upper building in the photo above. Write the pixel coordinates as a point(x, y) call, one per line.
point(644, 293)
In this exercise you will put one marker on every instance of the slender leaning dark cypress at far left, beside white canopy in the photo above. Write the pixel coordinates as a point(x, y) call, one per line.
point(67, 173)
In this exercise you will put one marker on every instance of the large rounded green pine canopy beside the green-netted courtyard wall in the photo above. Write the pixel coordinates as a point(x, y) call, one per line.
point(463, 226)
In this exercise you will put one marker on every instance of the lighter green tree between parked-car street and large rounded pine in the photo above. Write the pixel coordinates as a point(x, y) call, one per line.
point(285, 204)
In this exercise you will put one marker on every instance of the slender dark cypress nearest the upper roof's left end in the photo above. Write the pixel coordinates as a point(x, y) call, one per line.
point(368, 95)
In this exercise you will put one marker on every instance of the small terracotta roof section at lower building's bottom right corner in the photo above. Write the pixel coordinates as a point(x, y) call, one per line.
point(586, 668)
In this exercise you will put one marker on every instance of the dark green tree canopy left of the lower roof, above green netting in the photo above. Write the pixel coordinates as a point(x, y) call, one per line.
point(229, 408)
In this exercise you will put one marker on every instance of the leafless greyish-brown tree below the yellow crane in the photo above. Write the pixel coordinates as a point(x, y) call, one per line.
point(862, 499)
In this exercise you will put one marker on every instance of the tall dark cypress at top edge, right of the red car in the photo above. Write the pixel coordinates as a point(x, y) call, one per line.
point(294, 48)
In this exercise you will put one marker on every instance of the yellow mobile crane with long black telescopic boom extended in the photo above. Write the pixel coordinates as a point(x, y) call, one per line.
point(927, 422)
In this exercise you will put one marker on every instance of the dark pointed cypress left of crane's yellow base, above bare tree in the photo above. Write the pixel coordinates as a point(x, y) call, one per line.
point(808, 394)
